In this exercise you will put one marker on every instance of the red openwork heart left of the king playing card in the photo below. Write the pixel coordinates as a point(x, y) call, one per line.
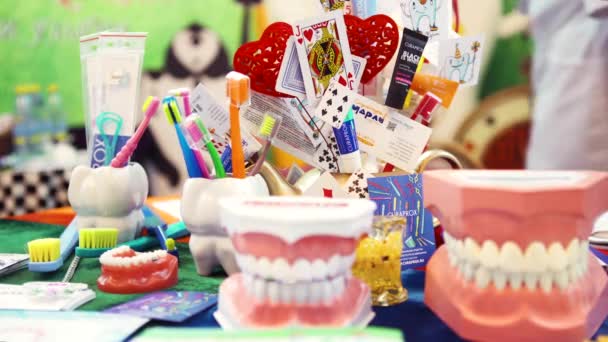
point(261, 59)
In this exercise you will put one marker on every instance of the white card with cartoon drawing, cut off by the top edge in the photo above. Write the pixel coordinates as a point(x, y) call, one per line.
point(431, 18)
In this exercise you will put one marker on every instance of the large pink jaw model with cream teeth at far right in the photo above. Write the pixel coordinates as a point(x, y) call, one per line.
point(516, 264)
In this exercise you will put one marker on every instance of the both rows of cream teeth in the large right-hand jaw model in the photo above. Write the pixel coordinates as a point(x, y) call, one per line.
point(508, 264)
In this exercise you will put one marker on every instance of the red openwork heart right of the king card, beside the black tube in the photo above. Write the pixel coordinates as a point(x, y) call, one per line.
point(375, 39)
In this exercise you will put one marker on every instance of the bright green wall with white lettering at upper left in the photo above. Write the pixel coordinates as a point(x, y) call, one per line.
point(39, 38)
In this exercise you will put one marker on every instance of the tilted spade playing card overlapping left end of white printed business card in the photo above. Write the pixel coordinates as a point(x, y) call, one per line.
point(335, 104)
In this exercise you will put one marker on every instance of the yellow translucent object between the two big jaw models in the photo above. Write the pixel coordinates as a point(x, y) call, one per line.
point(378, 261)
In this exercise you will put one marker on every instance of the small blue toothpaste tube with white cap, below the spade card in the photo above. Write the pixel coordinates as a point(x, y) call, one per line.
point(346, 137)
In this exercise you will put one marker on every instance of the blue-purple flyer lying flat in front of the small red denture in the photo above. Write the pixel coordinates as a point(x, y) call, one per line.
point(172, 306)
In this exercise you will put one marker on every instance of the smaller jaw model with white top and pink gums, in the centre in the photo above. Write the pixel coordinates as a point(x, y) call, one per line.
point(295, 255)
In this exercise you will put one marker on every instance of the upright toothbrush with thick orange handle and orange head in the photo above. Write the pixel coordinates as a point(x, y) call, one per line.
point(238, 90)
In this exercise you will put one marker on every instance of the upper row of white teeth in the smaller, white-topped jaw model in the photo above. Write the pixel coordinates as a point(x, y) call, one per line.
point(300, 270)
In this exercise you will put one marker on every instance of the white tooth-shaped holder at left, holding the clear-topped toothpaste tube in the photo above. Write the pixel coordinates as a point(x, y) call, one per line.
point(108, 197)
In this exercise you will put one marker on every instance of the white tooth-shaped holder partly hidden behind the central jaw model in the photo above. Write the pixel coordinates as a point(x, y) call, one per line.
point(209, 242)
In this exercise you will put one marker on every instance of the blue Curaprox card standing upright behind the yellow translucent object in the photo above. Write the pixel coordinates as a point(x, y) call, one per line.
point(403, 196)
